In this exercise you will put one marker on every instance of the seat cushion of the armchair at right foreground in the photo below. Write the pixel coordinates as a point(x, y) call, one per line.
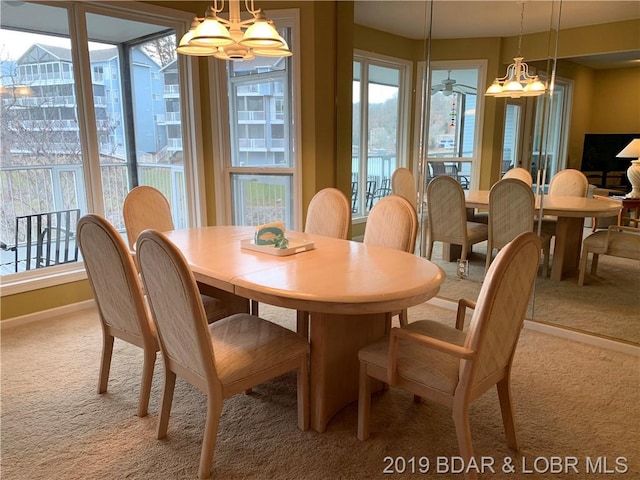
point(419, 363)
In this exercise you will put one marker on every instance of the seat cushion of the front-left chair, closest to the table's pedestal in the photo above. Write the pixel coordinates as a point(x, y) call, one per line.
point(245, 345)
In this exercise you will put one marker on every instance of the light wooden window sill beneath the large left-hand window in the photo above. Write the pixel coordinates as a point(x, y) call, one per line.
point(24, 282)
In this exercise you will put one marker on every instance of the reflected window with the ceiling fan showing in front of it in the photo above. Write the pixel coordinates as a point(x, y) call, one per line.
point(453, 131)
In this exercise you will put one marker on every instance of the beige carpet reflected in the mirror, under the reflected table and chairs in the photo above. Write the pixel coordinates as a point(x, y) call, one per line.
point(608, 304)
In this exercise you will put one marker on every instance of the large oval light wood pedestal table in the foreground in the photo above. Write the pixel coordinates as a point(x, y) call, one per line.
point(348, 288)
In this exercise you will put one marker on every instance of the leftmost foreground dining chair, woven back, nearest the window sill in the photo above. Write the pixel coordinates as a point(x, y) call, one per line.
point(118, 294)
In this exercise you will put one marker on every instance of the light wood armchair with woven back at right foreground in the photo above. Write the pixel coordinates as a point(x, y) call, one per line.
point(449, 366)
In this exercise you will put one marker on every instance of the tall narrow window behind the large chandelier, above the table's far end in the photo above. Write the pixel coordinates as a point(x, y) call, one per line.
point(259, 174)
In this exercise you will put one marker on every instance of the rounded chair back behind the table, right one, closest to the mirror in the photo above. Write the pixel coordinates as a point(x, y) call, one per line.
point(392, 223)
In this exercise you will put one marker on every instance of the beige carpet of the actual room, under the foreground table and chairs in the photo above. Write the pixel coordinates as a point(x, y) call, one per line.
point(571, 400)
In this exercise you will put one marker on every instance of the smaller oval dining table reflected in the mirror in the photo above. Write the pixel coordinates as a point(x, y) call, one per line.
point(570, 213)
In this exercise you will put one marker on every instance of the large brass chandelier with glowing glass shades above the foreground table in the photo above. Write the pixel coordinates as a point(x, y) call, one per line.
point(233, 39)
